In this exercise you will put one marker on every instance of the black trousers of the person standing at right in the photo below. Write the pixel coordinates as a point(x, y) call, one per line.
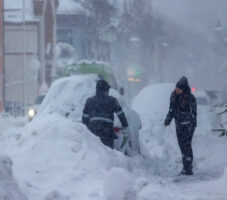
point(184, 135)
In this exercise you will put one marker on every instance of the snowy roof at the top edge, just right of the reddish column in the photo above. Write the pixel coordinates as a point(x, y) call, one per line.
point(70, 7)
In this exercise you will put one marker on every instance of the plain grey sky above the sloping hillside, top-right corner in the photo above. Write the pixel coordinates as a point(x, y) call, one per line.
point(200, 15)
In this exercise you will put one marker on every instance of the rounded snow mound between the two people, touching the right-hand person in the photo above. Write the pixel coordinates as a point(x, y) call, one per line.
point(158, 140)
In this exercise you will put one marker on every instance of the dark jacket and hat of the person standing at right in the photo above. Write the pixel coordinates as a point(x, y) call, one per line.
point(183, 106)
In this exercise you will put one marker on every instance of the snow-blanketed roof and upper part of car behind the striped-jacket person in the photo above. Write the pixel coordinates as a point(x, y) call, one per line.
point(67, 96)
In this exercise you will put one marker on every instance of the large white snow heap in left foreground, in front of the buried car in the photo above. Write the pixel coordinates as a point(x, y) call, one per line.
point(56, 158)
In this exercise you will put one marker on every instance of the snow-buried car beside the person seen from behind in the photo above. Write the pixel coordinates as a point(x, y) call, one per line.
point(67, 97)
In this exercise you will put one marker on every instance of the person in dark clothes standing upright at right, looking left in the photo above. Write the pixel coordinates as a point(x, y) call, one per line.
point(183, 109)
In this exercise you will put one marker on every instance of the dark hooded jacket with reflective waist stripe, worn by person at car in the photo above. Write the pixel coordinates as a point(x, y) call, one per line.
point(99, 110)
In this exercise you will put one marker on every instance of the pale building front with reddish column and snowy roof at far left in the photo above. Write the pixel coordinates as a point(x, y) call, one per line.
point(29, 51)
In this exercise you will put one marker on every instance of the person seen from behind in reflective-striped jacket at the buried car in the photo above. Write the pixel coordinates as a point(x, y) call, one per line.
point(98, 114)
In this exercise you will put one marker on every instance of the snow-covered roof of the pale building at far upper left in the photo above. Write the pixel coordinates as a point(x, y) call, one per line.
point(13, 11)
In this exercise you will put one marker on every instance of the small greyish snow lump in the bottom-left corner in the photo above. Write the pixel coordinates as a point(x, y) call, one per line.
point(8, 185)
